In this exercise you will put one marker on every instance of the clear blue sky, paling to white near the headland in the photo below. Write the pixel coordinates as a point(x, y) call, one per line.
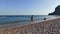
point(27, 7)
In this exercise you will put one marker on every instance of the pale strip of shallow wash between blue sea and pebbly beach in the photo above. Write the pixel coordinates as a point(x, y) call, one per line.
point(7, 26)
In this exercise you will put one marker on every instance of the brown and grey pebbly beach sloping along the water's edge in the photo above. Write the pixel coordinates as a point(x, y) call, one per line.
point(41, 27)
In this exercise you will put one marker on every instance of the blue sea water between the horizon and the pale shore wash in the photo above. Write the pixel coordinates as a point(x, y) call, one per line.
point(6, 19)
